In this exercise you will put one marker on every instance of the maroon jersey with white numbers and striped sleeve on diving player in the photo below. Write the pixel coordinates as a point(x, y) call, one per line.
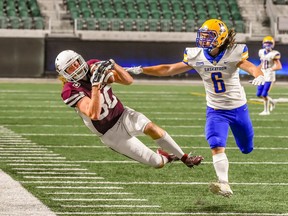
point(112, 108)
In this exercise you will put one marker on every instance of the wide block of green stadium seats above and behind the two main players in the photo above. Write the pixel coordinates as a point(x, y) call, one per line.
point(153, 15)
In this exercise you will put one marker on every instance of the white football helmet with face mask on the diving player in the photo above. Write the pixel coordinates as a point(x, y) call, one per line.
point(65, 59)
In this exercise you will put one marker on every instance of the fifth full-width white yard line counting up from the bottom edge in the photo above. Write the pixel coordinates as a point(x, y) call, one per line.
point(173, 135)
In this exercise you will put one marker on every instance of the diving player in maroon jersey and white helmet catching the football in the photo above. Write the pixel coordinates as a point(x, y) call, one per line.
point(87, 88)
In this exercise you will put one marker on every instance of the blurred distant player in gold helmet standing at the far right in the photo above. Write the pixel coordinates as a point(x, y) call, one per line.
point(270, 62)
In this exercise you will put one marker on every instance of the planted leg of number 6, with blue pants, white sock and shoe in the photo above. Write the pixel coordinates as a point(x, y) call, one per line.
point(216, 129)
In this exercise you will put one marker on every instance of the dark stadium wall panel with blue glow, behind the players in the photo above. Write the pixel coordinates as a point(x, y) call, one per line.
point(131, 53)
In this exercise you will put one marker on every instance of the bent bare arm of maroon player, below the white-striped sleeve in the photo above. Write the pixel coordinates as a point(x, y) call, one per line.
point(91, 107)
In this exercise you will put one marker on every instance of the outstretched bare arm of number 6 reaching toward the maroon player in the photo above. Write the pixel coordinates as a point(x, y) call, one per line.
point(166, 69)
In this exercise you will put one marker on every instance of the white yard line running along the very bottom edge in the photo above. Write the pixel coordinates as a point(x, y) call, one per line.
point(170, 213)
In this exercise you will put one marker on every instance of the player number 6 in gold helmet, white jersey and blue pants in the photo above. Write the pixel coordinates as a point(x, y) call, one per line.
point(217, 59)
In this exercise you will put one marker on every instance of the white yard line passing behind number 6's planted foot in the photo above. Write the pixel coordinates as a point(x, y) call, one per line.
point(153, 183)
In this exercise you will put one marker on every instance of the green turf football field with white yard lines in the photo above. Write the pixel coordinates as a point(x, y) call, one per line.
point(45, 146)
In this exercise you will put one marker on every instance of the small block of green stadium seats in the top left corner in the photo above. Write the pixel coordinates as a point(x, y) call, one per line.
point(20, 14)
